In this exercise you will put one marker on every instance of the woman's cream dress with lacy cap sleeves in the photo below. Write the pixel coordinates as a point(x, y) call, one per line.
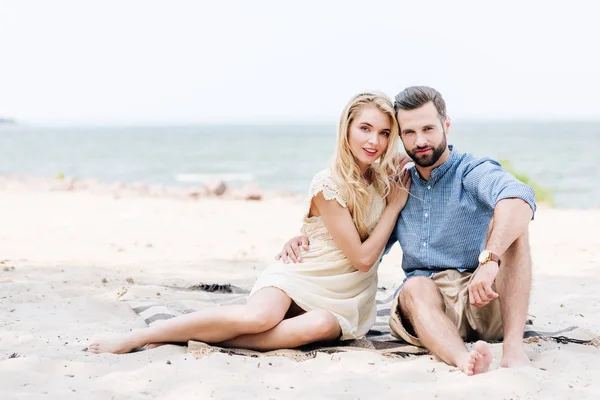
point(325, 279)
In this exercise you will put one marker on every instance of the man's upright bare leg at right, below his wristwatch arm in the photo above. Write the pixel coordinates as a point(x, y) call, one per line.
point(513, 284)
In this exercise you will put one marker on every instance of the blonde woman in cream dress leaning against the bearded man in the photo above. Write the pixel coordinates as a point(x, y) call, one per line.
point(353, 207)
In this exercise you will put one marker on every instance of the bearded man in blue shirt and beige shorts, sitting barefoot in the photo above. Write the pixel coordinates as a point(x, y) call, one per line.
point(464, 238)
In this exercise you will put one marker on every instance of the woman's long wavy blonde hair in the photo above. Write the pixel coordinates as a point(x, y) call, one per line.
point(344, 166)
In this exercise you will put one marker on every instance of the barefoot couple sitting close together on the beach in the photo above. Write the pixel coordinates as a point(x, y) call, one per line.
point(462, 223)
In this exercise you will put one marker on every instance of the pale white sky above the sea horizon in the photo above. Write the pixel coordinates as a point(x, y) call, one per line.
point(130, 62)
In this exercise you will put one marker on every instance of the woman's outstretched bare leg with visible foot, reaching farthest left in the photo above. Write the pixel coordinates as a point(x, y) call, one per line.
point(264, 310)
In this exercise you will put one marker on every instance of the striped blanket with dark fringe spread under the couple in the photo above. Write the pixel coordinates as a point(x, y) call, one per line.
point(379, 339)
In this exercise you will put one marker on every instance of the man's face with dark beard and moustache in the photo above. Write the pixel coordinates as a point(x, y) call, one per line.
point(423, 135)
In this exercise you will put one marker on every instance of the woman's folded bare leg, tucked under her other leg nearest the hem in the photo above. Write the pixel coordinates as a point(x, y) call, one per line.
point(313, 326)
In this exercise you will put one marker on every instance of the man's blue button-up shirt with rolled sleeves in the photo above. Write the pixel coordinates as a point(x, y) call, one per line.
point(444, 223)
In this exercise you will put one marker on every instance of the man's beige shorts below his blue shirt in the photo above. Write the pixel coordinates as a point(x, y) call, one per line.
point(472, 323)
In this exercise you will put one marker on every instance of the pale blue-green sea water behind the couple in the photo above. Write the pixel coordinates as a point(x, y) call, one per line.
point(561, 156)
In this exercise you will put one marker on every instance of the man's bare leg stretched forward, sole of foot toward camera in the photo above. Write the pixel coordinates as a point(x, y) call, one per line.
point(421, 302)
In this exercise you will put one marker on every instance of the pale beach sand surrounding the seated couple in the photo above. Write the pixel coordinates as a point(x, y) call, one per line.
point(66, 256)
